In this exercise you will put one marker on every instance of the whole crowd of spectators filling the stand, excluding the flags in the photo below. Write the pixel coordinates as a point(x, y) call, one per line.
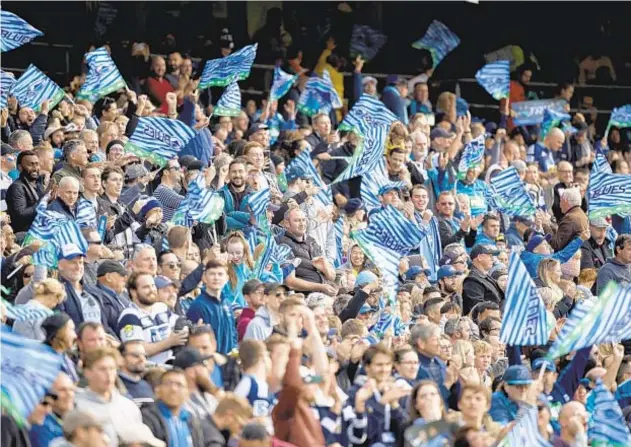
point(185, 346)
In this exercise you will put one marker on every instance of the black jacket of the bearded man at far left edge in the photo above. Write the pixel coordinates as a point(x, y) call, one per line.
point(22, 200)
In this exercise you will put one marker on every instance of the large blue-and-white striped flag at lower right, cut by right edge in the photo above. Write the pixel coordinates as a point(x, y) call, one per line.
point(594, 321)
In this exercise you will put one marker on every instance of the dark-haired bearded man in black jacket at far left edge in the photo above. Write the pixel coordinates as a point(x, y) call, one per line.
point(24, 193)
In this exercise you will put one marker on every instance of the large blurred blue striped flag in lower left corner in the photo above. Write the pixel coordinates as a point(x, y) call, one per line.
point(29, 369)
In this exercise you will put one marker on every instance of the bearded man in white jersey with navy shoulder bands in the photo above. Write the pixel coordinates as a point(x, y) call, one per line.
point(148, 320)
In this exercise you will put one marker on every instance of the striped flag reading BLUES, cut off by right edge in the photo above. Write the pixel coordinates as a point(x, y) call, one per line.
point(609, 194)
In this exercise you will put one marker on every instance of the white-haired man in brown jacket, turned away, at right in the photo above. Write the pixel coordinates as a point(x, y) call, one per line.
point(574, 222)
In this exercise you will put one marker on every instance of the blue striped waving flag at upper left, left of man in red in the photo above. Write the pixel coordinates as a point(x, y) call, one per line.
point(103, 76)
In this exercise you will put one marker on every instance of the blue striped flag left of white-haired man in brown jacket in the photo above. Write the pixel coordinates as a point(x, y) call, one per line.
point(508, 195)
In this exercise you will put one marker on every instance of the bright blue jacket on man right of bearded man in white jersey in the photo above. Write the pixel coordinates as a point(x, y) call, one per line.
point(218, 314)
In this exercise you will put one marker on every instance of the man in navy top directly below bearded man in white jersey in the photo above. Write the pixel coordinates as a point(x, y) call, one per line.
point(132, 370)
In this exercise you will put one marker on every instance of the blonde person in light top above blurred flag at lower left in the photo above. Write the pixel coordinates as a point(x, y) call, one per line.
point(47, 295)
